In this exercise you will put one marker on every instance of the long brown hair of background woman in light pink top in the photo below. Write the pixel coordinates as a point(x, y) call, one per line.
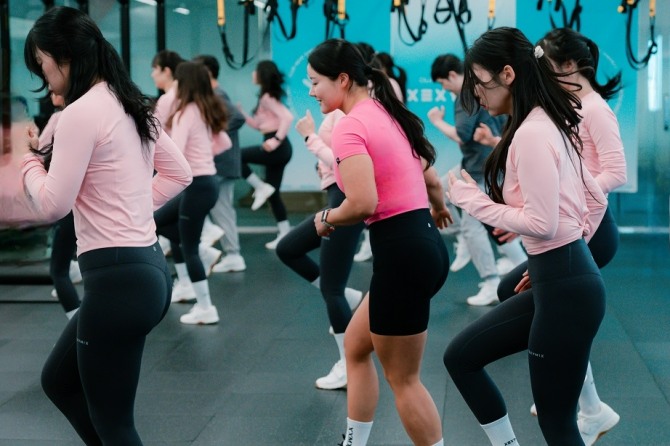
point(194, 86)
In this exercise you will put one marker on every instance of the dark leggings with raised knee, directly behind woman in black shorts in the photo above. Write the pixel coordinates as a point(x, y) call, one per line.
point(336, 258)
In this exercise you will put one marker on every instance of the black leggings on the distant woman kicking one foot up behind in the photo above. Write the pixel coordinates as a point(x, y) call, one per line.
point(275, 162)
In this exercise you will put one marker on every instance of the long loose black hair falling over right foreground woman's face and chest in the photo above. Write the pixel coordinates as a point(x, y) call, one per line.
point(535, 85)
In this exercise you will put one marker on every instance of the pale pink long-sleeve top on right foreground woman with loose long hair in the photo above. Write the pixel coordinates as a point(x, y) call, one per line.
point(549, 199)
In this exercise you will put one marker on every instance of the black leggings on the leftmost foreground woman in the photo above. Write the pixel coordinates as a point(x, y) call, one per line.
point(93, 371)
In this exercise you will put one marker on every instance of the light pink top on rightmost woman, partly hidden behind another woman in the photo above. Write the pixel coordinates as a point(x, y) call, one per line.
point(602, 147)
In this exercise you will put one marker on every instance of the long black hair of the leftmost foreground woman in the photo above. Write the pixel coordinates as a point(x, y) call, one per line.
point(70, 36)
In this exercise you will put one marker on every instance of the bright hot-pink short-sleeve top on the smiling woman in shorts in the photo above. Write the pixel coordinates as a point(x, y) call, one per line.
point(369, 130)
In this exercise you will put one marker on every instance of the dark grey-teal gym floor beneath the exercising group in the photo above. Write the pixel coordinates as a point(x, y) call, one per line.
point(249, 380)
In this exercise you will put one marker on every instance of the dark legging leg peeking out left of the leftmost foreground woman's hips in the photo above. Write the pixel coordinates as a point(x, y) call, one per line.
point(63, 247)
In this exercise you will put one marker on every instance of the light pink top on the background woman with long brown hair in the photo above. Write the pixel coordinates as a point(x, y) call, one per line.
point(194, 138)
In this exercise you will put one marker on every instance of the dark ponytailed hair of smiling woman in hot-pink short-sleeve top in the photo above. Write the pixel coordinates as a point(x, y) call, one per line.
point(336, 56)
